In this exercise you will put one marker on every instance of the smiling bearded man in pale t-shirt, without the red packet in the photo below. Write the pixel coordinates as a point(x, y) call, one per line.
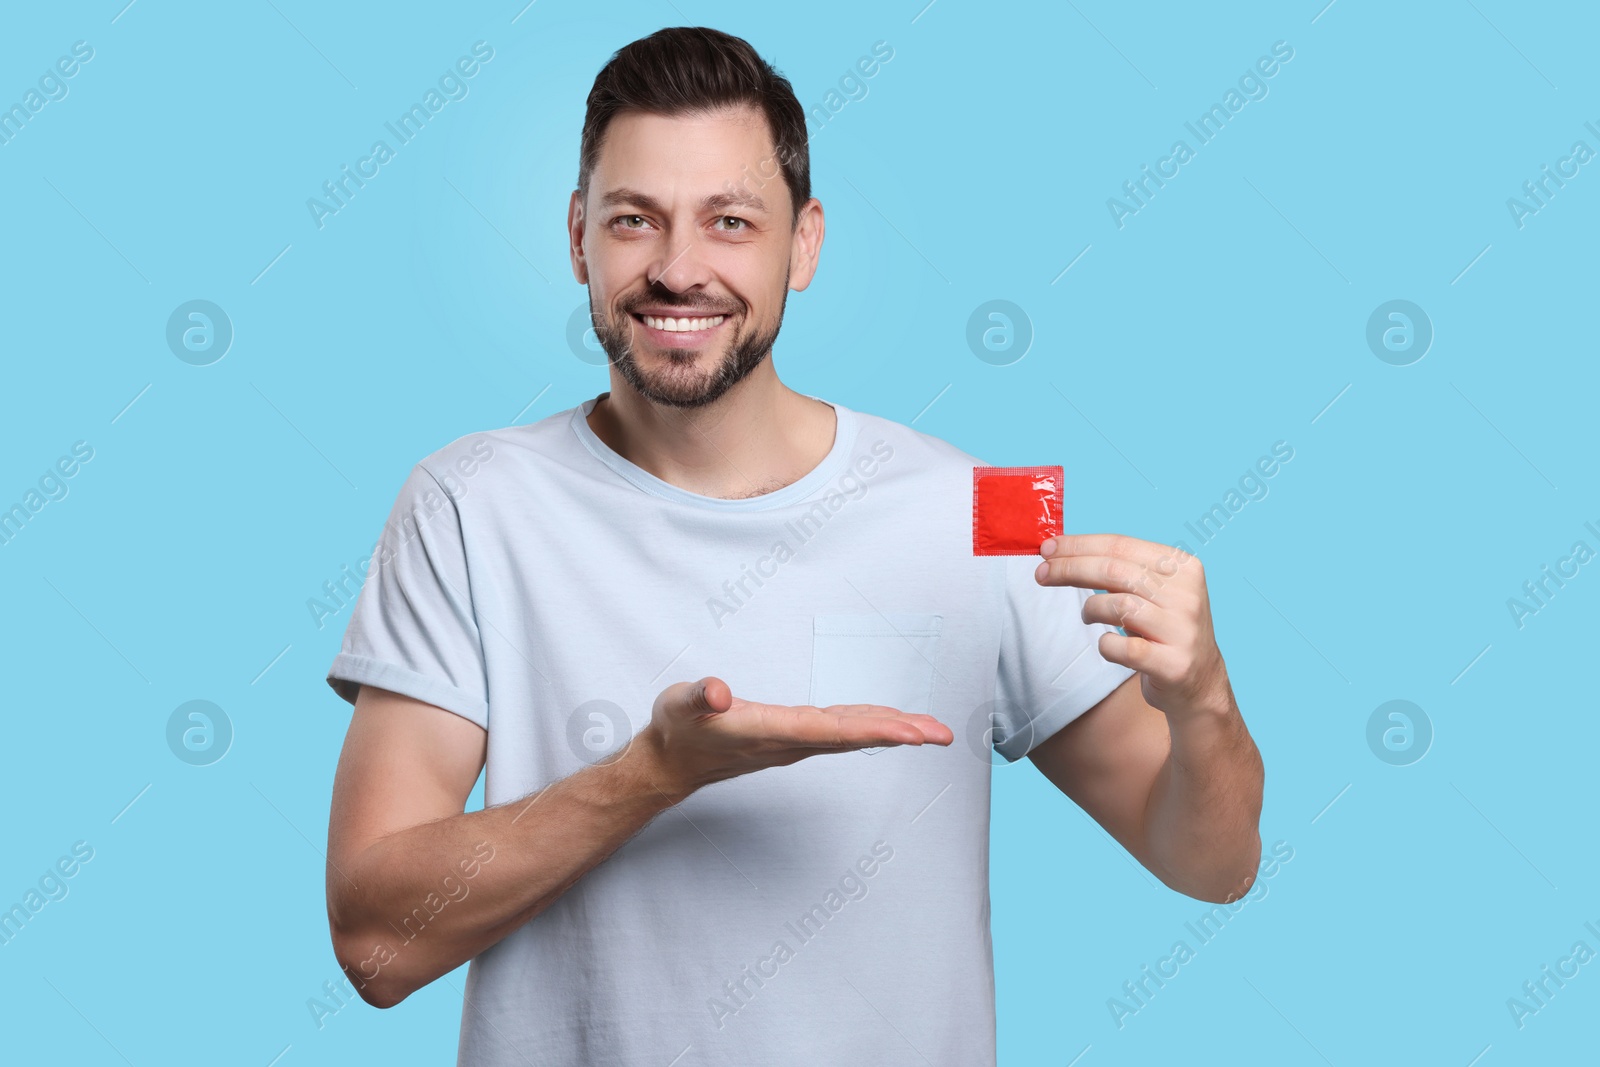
point(732, 666)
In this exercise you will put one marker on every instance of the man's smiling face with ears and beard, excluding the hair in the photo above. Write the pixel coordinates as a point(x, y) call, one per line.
point(689, 247)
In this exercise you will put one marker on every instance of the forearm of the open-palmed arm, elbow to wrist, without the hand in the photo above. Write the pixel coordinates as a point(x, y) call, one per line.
point(420, 903)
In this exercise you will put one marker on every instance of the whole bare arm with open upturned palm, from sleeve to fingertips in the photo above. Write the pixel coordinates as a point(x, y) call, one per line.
point(417, 887)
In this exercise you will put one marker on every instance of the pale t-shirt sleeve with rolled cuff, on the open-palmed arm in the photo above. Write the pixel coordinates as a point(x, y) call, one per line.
point(414, 629)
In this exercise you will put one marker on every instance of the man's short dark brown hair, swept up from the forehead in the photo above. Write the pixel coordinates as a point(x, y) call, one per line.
point(686, 70)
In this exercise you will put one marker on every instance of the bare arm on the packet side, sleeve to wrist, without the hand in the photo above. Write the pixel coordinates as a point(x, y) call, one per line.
point(1183, 801)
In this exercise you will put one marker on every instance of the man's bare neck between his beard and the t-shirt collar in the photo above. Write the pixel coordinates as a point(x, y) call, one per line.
point(758, 438)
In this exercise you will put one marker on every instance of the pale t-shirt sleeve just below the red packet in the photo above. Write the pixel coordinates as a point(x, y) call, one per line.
point(1050, 663)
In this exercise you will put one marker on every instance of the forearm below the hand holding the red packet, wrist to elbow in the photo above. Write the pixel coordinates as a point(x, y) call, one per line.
point(1202, 820)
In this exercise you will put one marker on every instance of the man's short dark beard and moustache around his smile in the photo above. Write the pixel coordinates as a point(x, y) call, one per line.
point(679, 385)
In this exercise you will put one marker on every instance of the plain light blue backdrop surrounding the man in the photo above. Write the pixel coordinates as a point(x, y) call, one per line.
point(1226, 316)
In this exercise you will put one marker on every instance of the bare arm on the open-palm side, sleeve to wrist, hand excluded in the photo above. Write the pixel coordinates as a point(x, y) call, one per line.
point(417, 887)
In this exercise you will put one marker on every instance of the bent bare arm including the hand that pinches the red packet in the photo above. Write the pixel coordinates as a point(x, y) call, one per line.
point(1166, 762)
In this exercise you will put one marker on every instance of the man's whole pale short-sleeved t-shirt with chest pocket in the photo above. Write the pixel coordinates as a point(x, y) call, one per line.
point(826, 913)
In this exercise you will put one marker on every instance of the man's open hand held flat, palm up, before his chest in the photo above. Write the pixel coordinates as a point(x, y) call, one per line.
point(700, 733)
